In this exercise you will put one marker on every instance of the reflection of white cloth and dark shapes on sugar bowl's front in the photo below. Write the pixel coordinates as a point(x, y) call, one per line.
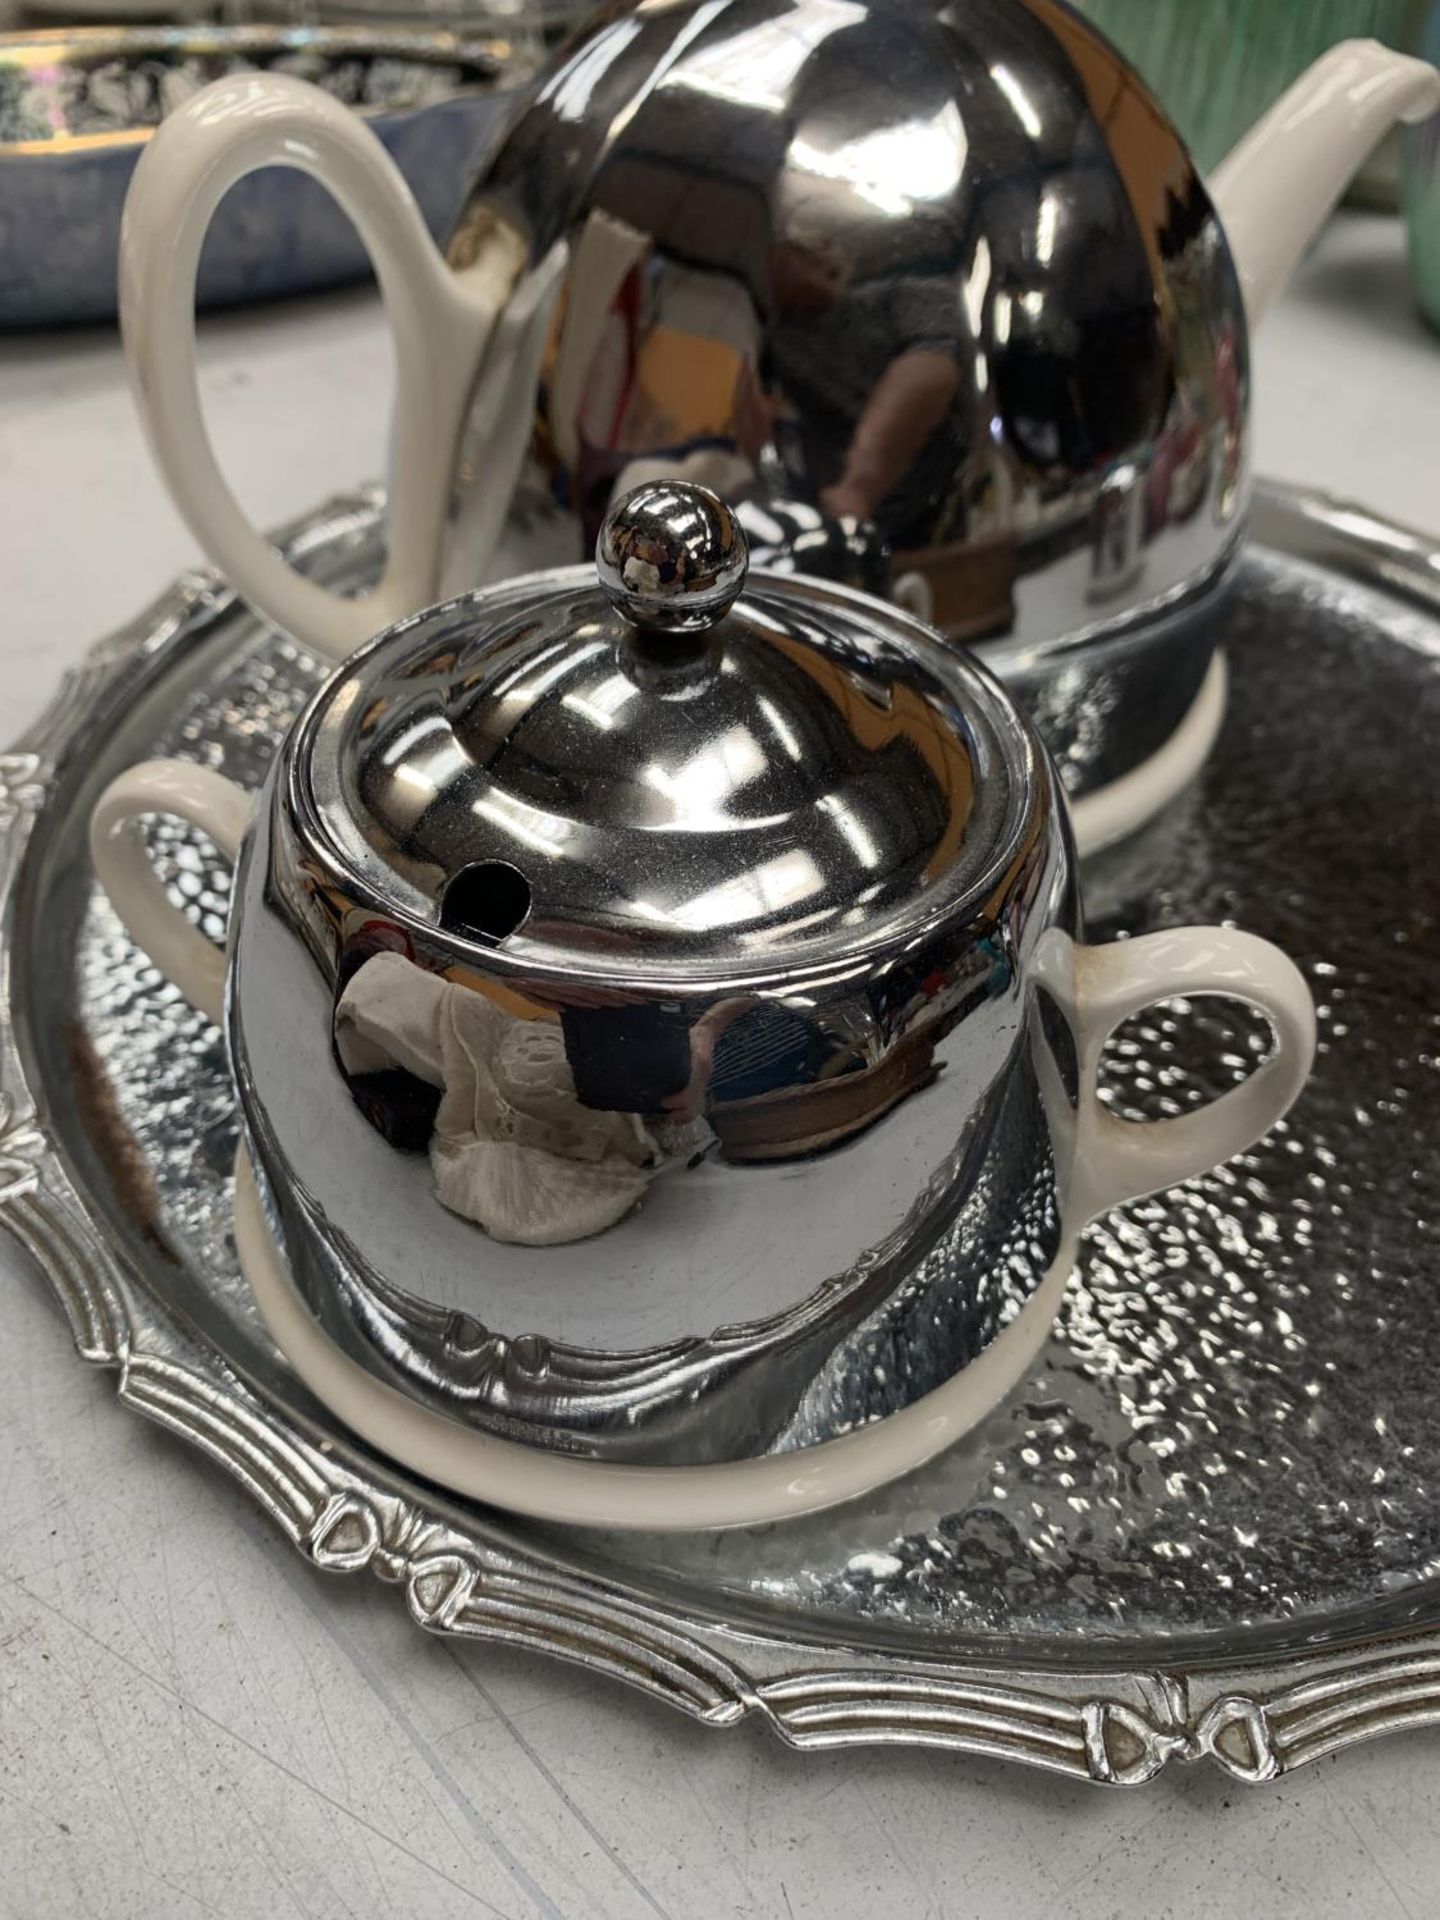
point(548, 1115)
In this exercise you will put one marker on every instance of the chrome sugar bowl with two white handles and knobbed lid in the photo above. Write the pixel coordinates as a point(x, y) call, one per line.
point(660, 1013)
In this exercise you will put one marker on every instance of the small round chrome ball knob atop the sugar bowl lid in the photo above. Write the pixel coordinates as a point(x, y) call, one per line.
point(671, 558)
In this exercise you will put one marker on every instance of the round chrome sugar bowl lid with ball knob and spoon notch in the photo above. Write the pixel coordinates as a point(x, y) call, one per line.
point(665, 767)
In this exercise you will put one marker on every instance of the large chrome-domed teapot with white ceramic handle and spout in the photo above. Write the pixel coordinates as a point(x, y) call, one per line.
point(932, 291)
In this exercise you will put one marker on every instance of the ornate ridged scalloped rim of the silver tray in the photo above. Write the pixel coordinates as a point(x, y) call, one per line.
point(1105, 1723)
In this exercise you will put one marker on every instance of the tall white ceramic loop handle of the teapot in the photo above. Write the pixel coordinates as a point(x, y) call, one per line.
point(441, 320)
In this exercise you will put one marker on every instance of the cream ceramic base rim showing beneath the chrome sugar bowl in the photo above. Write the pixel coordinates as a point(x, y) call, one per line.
point(613, 1495)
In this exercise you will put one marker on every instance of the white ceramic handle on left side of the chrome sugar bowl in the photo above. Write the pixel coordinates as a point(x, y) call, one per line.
point(208, 802)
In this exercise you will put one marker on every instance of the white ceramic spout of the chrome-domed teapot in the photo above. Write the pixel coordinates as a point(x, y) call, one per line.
point(1278, 185)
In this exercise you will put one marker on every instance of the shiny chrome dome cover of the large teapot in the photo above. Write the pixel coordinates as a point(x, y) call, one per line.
point(938, 270)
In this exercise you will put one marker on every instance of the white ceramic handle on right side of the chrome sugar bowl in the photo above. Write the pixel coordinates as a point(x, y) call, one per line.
point(1120, 1161)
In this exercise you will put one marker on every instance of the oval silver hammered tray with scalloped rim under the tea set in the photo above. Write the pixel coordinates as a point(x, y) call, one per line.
point(1205, 1527)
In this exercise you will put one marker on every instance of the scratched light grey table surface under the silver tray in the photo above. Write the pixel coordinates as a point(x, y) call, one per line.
point(193, 1721)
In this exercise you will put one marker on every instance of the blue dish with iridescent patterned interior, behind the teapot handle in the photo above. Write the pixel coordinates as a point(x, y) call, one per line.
point(80, 105)
